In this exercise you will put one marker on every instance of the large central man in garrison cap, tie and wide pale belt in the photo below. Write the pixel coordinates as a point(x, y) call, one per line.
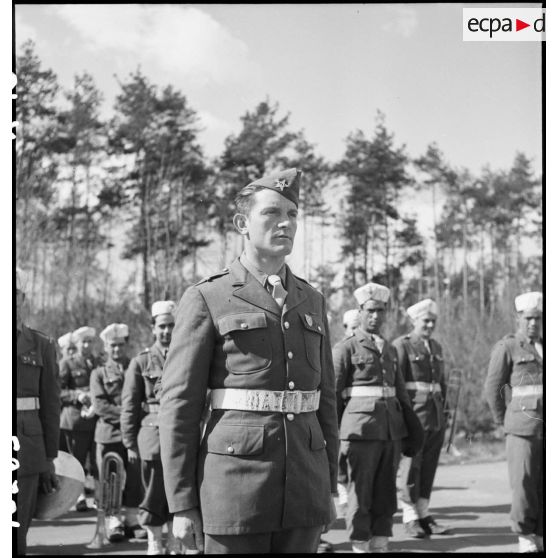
point(257, 336)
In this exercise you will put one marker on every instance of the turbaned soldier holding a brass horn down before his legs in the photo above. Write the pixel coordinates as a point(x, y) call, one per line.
point(106, 396)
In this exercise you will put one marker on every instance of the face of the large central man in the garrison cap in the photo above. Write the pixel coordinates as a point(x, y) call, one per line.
point(270, 227)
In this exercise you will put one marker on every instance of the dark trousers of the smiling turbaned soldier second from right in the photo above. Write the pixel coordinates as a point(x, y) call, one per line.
point(416, 474)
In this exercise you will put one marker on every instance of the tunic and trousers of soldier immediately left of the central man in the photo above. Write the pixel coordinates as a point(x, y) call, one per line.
point(140, 430)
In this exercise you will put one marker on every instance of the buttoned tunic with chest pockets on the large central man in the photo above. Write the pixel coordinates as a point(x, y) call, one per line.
point(255, 472)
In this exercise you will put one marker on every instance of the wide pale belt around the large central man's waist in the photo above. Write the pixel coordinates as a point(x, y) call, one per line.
point(265, 400)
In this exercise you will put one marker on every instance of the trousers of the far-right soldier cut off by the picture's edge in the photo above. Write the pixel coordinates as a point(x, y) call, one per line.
point(525, 469)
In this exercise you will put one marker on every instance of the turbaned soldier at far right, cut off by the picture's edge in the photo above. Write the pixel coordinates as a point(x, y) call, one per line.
point(517, 361)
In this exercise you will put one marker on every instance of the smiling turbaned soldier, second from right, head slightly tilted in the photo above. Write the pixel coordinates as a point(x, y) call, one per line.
point(422, 367)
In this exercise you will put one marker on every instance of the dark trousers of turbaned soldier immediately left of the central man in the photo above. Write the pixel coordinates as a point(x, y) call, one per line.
point(154, 509)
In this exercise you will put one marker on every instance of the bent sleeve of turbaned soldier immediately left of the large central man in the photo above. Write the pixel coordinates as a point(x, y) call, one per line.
point(132, 397)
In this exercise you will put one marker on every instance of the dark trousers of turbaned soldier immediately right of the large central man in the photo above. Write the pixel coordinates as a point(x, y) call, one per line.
point(371, 491)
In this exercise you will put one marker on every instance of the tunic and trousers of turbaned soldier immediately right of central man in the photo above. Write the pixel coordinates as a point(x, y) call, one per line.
point(371, 430)
